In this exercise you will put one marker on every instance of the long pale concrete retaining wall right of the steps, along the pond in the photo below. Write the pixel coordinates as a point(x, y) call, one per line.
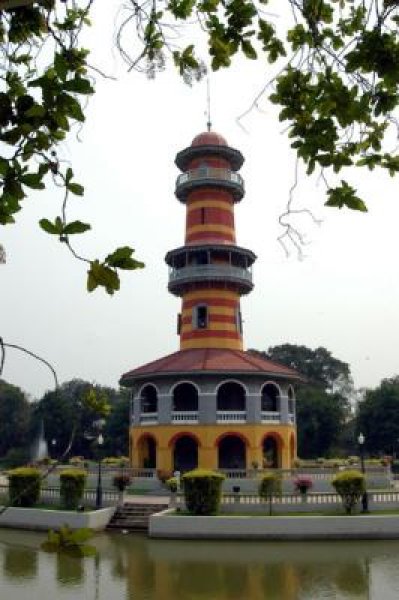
point(165, 525)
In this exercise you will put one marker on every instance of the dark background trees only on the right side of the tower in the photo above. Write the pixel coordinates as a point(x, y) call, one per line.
point(329, 418)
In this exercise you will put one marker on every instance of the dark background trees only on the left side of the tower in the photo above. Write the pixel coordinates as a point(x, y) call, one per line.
point(64, 415)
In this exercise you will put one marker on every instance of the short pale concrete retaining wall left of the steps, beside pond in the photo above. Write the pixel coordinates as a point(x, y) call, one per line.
point(41, 519)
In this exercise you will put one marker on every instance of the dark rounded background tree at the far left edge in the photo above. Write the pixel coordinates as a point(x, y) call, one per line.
point(14, 417)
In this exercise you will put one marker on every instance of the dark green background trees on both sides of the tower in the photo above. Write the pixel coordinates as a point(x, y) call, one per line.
point(329, 418)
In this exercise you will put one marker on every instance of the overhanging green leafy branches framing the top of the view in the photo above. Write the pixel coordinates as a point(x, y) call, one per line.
point(336, 83)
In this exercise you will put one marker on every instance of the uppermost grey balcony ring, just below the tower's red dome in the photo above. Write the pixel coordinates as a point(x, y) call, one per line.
point(209, 176)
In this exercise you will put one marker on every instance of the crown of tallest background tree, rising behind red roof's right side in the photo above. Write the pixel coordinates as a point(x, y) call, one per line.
point(318, 366)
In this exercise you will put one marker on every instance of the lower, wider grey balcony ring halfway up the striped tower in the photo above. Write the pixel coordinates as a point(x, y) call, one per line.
point(180, 278)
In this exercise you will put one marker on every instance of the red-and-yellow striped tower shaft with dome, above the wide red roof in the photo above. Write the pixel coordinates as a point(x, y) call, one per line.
point(210, 272)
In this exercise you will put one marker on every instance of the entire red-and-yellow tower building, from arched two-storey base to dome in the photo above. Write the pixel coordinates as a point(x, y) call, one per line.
point(211, 404)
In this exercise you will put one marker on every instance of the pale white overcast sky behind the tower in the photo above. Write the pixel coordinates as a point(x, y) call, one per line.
point(344, 295)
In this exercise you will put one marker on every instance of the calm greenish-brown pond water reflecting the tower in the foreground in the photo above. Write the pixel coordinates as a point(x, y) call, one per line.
point(132, 567)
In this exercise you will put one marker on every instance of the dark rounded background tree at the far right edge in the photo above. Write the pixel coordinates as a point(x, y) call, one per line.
point(378, 417)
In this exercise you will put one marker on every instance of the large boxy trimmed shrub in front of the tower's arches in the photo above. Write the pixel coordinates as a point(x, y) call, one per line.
point(202, 491)
